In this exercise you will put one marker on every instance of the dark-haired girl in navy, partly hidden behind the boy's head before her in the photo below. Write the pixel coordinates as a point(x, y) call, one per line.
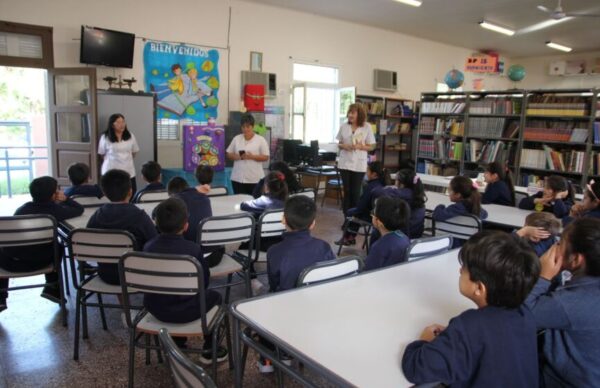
point(409, 188)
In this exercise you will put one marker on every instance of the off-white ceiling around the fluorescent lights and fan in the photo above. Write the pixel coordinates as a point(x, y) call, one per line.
point(455, 22)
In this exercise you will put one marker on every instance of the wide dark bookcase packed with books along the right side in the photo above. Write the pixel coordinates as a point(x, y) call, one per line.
point(535, 133)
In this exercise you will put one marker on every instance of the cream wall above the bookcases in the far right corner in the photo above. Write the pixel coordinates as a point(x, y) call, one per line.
point(537, 72)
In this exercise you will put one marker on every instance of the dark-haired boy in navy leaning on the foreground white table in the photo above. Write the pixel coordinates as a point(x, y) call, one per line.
point(491, 346)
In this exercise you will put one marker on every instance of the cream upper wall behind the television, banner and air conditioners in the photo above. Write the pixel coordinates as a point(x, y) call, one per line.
point(276, 32)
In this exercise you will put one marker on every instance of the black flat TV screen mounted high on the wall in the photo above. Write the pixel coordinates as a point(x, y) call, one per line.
point(106, 47)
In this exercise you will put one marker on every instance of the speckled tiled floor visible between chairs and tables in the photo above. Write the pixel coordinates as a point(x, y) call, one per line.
point(36, 350)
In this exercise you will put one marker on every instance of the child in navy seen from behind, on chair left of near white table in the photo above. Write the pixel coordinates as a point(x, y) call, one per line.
point(171, 221)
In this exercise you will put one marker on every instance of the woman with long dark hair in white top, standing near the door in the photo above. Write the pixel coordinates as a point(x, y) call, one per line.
point(118, 147)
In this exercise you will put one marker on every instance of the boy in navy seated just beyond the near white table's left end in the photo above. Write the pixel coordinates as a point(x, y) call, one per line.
point(297, 250)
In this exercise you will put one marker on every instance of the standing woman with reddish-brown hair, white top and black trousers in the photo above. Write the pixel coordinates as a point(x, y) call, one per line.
point(355, 141)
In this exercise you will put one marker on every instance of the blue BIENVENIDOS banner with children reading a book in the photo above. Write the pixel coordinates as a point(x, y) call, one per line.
point(184, 78)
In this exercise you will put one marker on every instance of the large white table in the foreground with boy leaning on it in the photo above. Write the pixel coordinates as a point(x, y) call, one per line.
point(353, 331)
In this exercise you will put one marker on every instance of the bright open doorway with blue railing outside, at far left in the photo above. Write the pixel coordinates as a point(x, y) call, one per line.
point(24, 139)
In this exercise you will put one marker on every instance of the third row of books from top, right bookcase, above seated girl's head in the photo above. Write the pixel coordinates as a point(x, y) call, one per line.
point(548, 158)
